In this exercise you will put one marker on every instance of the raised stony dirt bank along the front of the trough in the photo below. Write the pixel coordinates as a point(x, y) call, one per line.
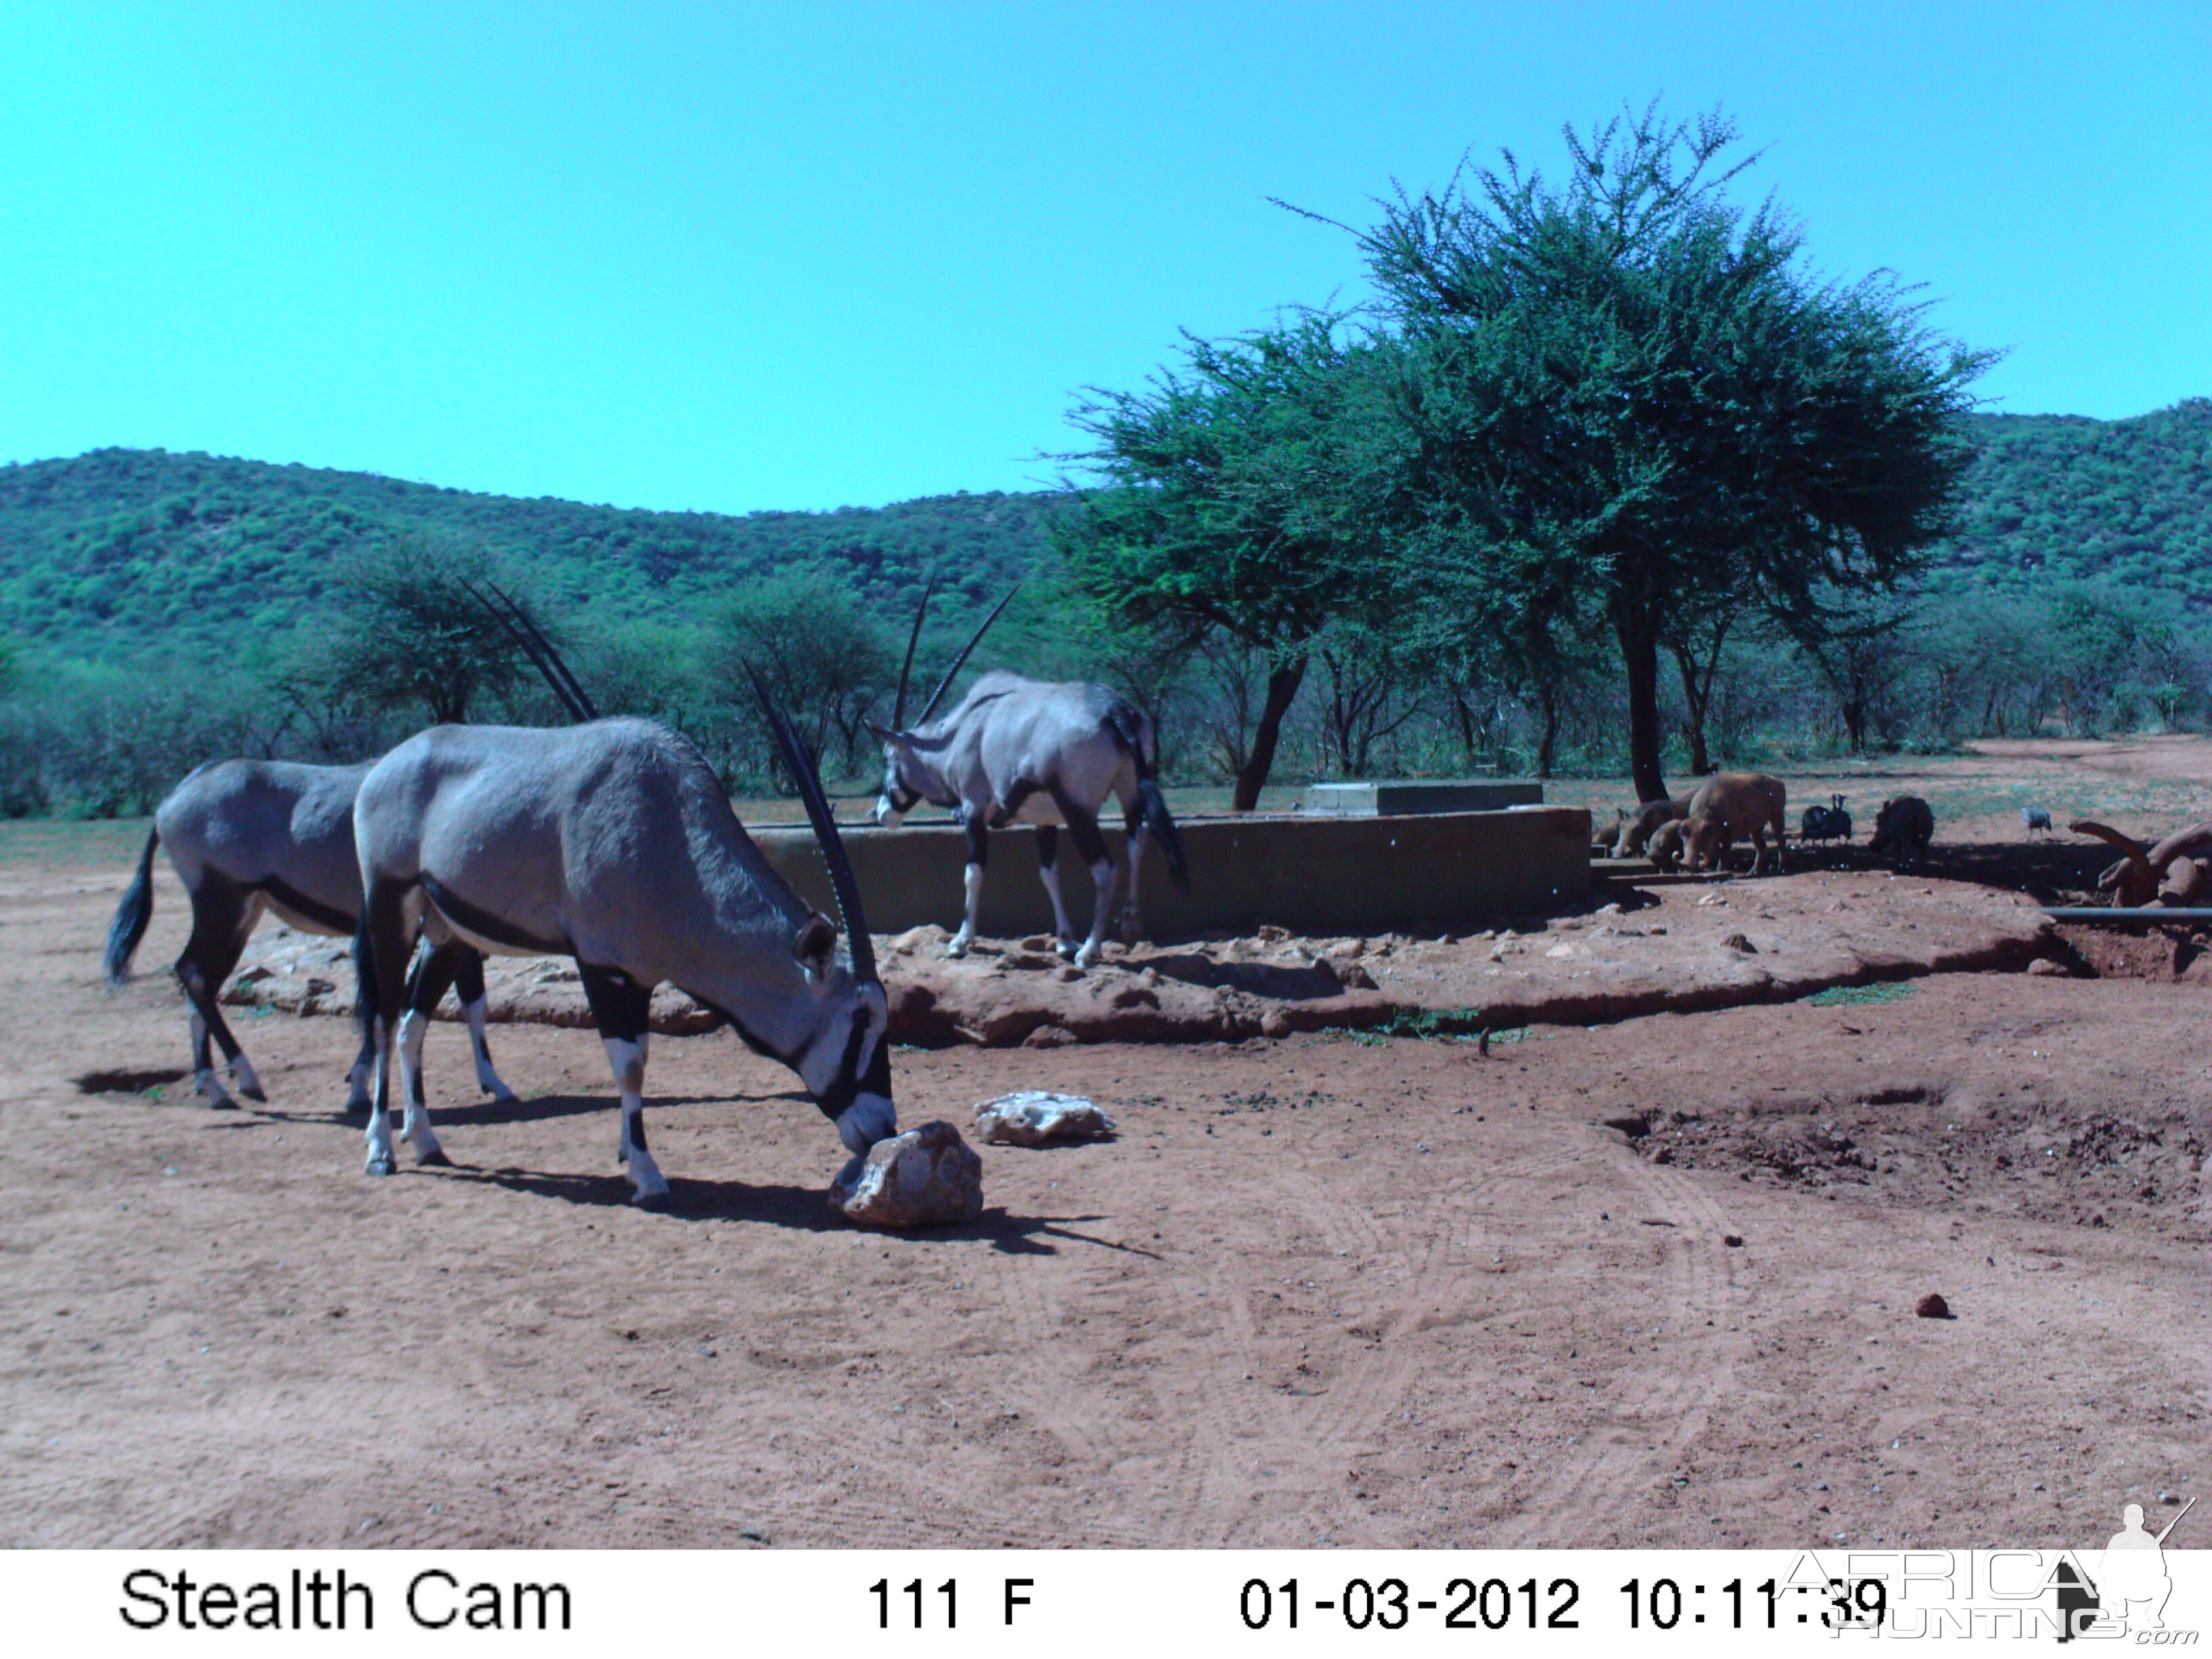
point(1642, 950)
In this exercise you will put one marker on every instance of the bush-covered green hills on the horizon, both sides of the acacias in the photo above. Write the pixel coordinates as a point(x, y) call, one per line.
point(127, 552)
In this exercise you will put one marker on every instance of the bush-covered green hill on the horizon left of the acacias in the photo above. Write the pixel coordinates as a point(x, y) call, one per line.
point(125, 552)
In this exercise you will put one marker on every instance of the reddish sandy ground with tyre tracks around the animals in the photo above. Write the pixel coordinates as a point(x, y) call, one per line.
point(1645, 1282)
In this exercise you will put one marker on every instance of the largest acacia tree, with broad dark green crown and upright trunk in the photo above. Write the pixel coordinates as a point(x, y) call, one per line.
point(1629, 388)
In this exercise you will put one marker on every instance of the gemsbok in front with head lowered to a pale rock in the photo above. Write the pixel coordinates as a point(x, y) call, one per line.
point(614, 844)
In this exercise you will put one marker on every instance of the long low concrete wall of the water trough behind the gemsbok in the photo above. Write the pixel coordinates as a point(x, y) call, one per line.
point(1317, 877)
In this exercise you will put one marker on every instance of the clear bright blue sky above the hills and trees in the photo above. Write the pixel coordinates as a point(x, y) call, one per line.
point(808, 255)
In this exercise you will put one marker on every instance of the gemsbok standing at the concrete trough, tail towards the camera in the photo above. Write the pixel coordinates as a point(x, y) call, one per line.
point(1030, 751)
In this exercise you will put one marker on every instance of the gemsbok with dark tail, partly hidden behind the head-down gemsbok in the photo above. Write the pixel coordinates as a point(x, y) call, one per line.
point(280, 837)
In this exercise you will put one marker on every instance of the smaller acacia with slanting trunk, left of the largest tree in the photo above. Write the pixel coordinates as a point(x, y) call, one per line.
point(1238, 503)
